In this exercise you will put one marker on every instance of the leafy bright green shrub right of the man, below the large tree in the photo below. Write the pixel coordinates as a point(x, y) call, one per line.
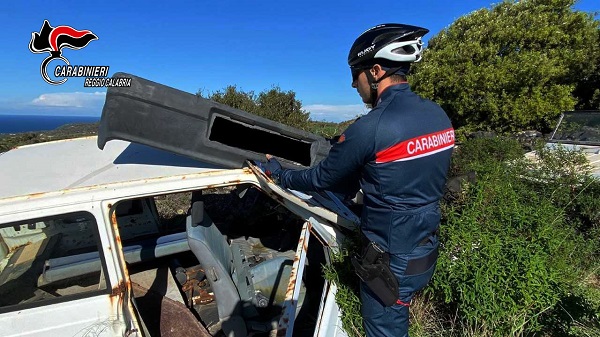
point(515, 252)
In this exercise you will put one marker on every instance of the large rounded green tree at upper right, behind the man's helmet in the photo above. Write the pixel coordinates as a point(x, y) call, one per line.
point(514, 66)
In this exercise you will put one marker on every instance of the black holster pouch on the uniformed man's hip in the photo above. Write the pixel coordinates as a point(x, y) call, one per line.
point(373, 268)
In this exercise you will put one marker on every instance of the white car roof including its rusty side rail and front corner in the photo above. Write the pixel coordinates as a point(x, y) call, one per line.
point(68, 172)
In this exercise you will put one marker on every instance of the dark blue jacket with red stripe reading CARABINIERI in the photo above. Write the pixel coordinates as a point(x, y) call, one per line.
point(400, 154)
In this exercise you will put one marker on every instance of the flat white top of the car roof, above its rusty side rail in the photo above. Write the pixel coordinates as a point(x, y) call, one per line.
point(74, 163)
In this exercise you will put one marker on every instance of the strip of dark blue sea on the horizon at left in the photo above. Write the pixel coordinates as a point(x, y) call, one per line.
point(26, 123)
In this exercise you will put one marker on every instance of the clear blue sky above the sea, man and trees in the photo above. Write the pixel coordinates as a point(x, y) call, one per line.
point(208, 45)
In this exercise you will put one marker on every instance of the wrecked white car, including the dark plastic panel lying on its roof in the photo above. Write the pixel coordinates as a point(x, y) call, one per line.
point(102, 237)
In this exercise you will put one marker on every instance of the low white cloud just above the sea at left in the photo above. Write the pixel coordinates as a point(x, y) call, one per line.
point(71, 100)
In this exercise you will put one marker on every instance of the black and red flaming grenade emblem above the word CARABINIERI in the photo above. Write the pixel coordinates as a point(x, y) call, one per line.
point(53, 40)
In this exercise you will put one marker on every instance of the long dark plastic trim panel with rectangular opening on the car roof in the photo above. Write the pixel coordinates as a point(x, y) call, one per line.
point(156, 115)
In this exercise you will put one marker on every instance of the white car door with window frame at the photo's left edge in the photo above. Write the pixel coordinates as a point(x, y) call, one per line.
point(58, 275)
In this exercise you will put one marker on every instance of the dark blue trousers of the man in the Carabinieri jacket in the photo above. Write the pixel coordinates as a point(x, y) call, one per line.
point(392, 321)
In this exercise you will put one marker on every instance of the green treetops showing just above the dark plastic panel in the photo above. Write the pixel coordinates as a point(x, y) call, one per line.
point(273, 104)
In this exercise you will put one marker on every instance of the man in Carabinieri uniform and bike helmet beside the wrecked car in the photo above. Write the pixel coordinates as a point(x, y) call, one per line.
point(399, 155)
